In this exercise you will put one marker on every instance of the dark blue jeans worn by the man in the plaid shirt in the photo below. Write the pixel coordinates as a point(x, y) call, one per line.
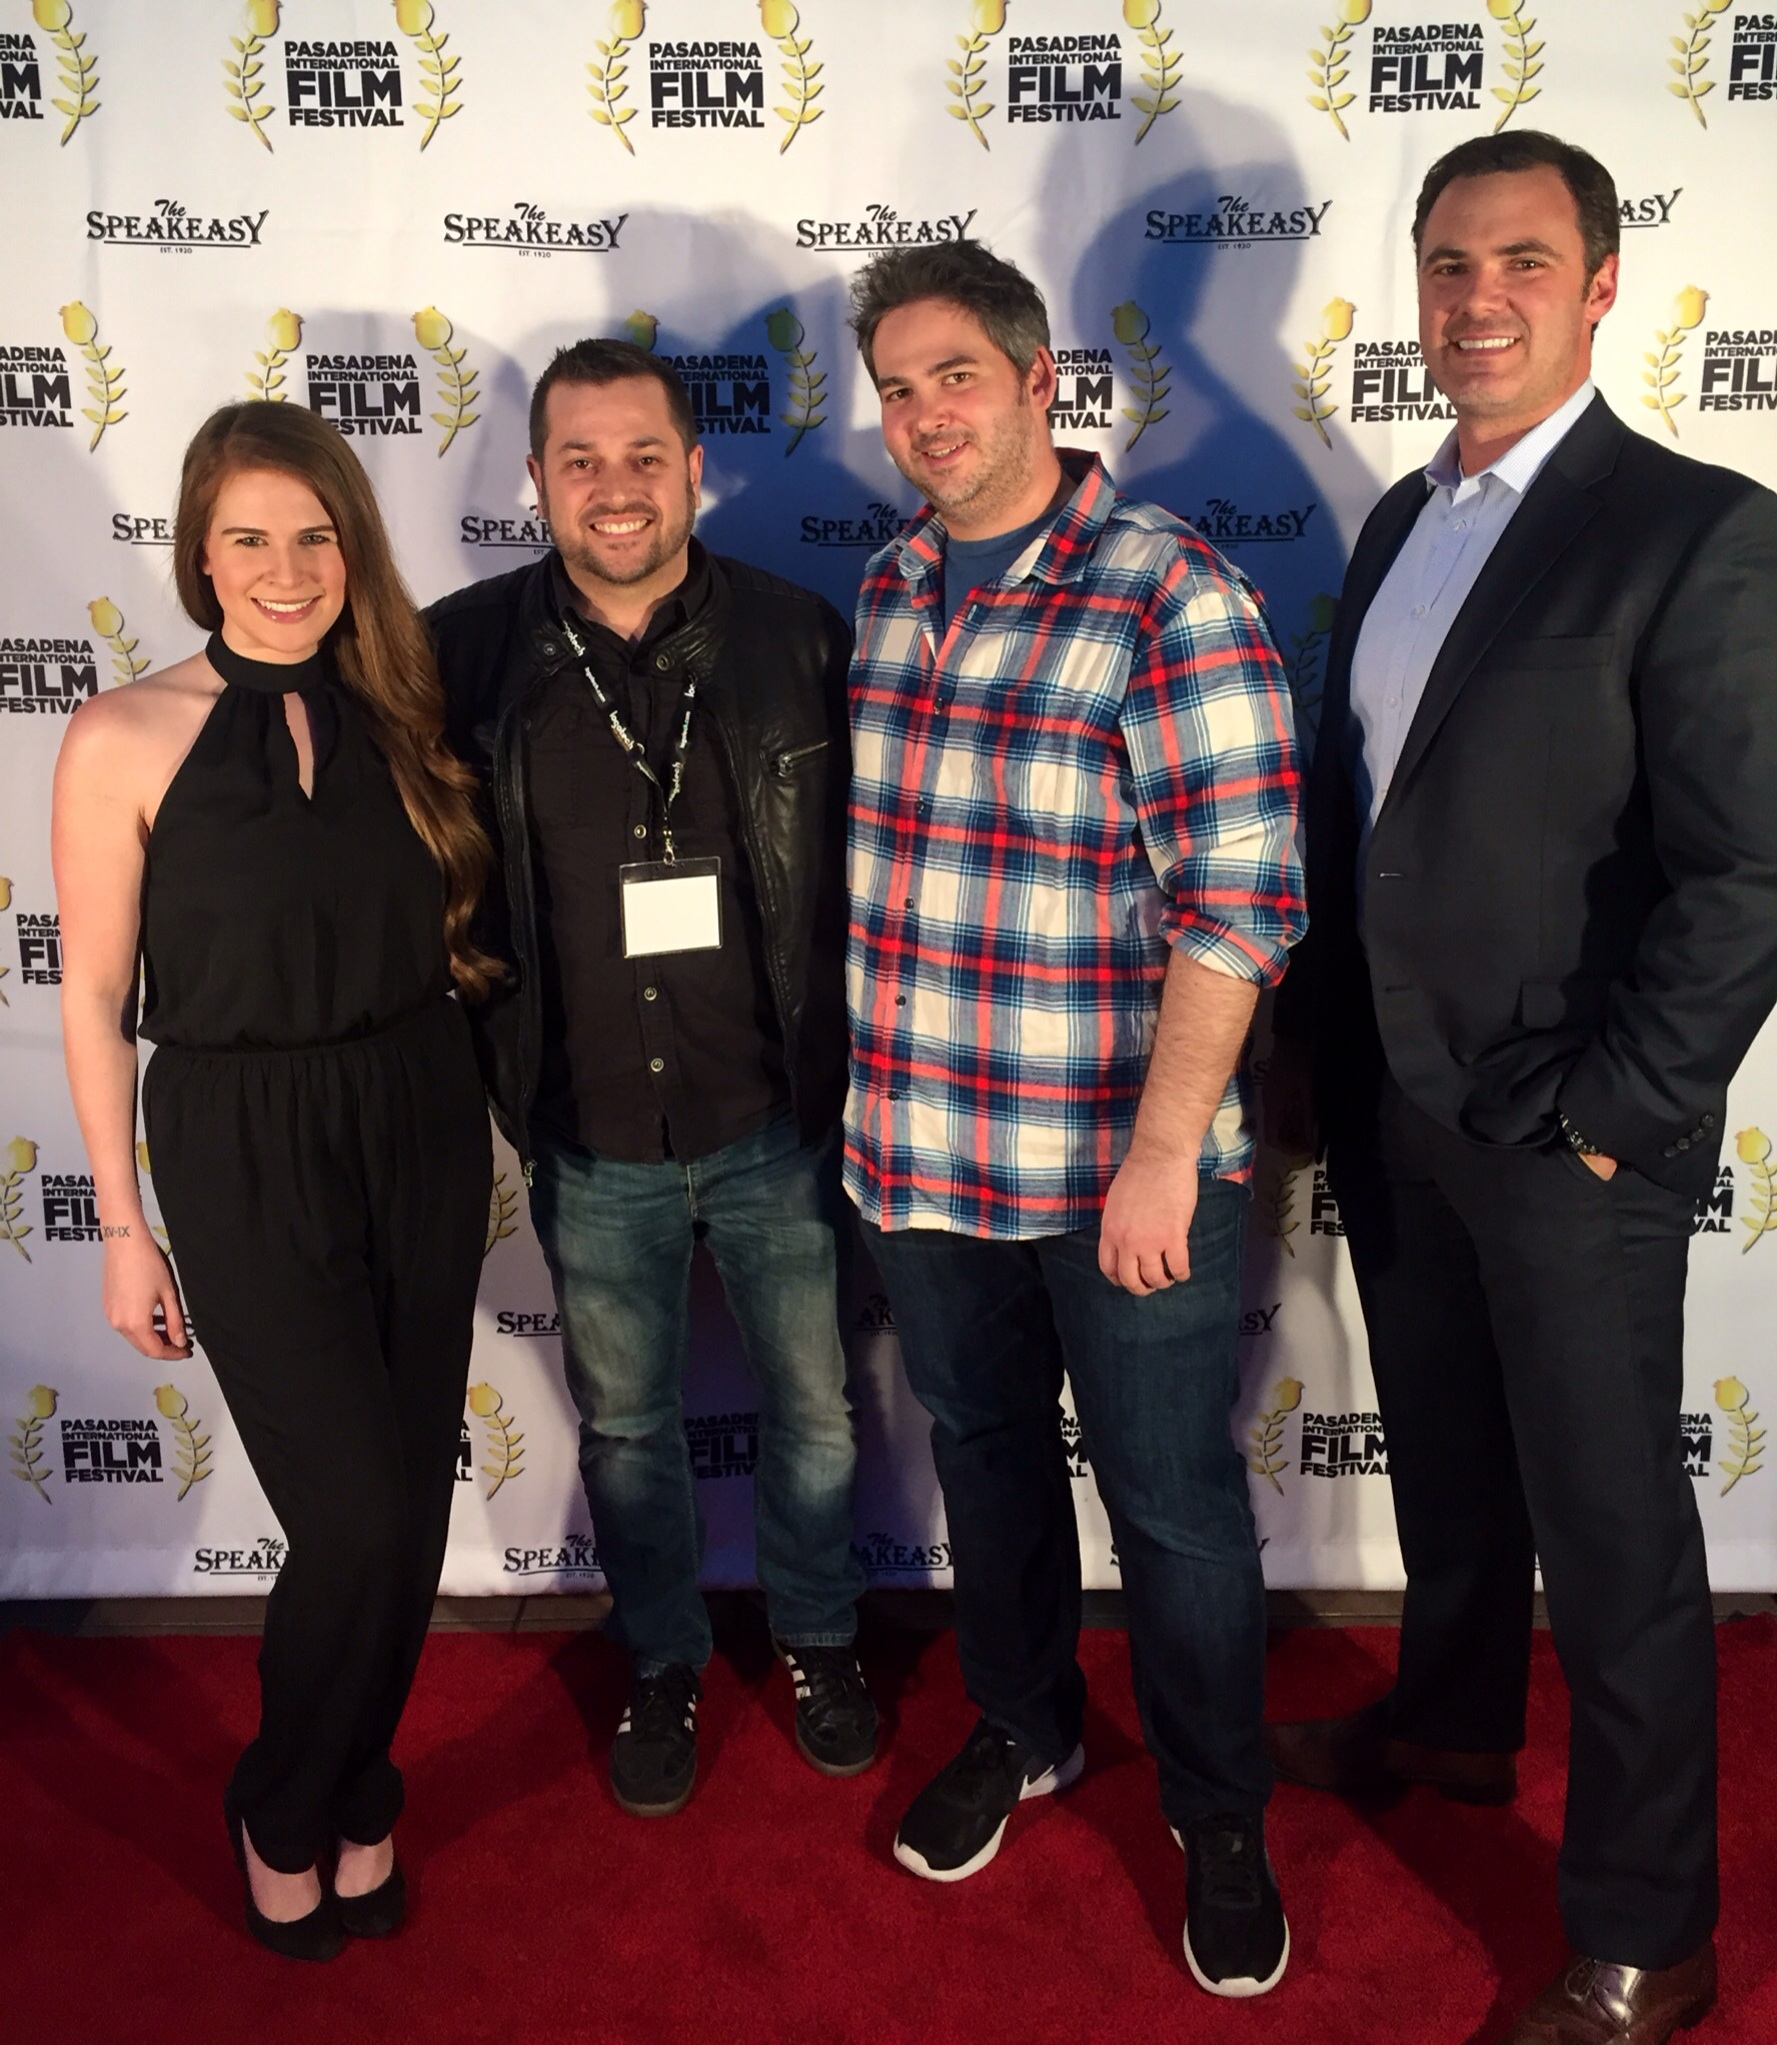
point(987, 1332)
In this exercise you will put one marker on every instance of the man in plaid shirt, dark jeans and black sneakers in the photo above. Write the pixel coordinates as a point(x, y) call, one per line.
point(1073, 870)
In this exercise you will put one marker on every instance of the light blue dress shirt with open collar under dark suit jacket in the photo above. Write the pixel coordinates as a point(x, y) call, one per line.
point(1426, 588)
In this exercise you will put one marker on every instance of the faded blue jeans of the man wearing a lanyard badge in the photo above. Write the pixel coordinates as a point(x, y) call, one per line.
point(619, 1242)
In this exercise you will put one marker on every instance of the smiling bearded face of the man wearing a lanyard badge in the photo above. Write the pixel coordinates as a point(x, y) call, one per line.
point(619, 486)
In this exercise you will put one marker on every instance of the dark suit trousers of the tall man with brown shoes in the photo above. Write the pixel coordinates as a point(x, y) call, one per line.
point(1527, 1332)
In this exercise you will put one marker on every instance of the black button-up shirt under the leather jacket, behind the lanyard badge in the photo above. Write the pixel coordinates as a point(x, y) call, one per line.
point(678, 1054)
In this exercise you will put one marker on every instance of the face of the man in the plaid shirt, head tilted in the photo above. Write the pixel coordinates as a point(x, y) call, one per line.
point(962, 422)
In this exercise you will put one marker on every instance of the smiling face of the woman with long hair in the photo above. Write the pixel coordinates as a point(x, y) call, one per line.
point(275, 563)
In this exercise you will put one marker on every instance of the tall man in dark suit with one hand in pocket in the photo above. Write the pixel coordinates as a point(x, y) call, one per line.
point(1543, 899)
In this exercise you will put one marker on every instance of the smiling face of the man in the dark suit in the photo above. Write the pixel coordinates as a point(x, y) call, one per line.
point(1506, 308)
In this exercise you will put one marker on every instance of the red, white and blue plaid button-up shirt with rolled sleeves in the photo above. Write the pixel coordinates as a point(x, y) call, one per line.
point(1091, 766)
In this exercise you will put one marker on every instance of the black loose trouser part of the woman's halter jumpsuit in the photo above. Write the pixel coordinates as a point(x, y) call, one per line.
point(328, 1214)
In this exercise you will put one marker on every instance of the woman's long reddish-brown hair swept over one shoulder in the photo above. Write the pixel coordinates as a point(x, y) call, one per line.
point(379, 641)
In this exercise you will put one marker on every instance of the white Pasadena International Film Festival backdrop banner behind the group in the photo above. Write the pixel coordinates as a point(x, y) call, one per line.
point(394, 214)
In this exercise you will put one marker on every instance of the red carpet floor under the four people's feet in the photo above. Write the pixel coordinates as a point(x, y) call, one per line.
point(772, 1911)
